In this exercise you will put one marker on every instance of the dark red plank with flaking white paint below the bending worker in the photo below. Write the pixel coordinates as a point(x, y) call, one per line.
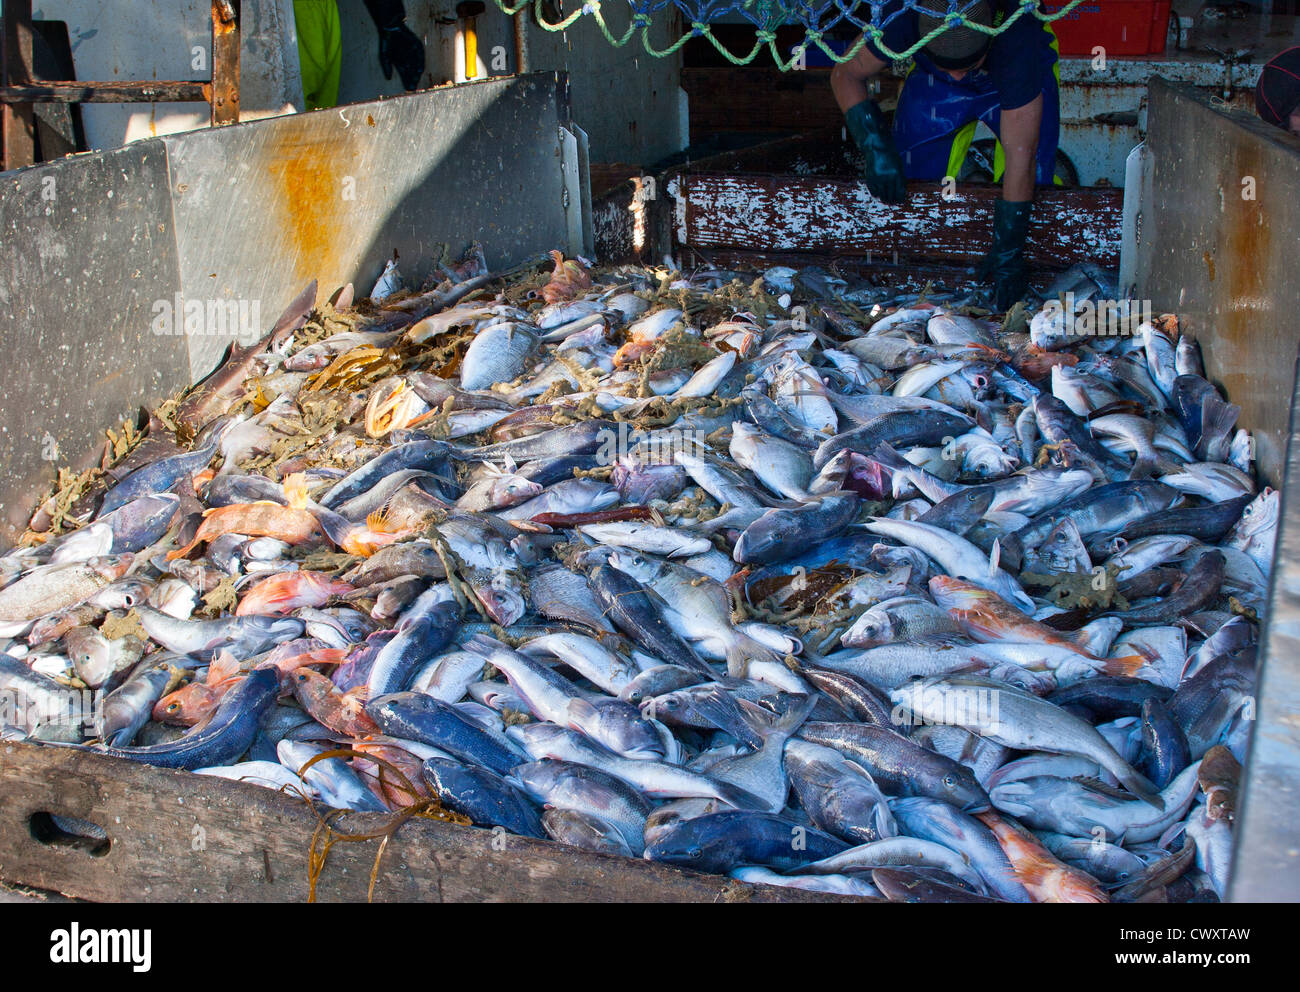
point(827, 215)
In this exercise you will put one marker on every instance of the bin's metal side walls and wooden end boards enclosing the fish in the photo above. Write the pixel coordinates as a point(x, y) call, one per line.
point(101, 255)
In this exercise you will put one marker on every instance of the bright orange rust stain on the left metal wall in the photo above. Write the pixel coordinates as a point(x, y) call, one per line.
point(310, 183)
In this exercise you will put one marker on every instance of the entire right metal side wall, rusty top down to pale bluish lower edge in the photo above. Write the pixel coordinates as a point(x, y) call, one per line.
point(1220, 239)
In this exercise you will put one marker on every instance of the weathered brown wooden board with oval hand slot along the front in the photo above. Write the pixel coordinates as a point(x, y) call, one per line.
point(175, 837)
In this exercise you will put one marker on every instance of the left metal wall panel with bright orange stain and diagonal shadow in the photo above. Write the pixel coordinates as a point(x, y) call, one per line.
point(265, 209)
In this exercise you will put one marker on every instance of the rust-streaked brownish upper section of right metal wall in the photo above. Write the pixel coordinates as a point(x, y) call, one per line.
point(1217, 245)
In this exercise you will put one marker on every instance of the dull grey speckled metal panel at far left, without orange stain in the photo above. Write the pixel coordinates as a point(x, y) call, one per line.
point(86, 248)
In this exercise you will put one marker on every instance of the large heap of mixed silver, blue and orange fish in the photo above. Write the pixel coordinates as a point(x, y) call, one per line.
point(772, 575)
